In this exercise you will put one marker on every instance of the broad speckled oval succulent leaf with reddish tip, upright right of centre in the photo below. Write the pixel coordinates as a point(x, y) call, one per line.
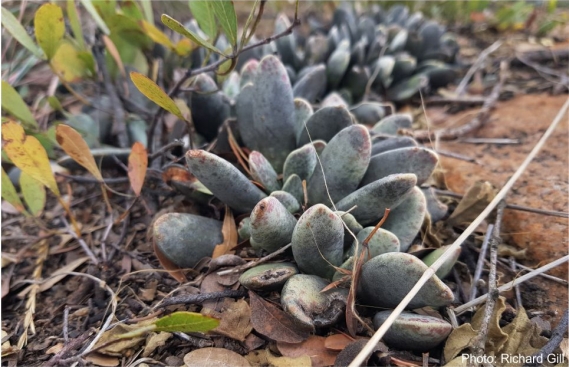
point(344, 162)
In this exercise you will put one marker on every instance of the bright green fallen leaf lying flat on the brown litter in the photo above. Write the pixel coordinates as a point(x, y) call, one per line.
point(186, 322)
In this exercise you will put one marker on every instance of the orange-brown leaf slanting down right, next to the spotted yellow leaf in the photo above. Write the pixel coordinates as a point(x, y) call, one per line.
point(73, 144)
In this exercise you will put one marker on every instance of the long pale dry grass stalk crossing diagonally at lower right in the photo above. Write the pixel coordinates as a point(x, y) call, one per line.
point(369, 347)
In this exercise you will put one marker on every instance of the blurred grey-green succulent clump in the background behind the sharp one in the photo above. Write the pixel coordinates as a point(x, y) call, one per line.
point(405, 51)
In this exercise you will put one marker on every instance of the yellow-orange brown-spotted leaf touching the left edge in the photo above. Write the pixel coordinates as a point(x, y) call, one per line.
point(27, 154)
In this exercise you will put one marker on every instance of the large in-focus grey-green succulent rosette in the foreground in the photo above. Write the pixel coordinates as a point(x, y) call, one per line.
point(352, 174)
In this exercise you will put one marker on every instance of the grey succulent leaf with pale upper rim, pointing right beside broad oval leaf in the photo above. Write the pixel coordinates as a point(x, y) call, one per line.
point(418, 160)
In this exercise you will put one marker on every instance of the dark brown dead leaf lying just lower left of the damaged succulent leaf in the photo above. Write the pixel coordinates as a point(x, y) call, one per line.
point(274, 323)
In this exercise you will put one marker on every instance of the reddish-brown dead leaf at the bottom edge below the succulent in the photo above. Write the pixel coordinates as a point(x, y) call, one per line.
point(313, 347)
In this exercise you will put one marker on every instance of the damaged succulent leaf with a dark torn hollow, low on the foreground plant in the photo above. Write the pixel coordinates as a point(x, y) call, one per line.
point(302, 298)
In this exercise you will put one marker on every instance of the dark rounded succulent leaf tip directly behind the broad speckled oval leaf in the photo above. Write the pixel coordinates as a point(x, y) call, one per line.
point(325, 123)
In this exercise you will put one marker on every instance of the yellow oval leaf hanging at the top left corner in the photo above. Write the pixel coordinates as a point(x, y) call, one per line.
point(49, 27)
